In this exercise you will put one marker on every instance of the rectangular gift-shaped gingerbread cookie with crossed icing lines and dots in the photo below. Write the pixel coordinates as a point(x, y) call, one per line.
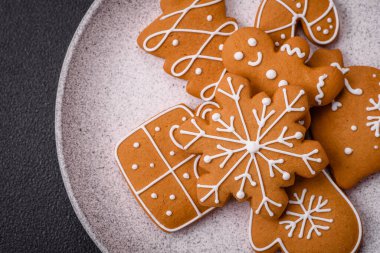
point(161, 176)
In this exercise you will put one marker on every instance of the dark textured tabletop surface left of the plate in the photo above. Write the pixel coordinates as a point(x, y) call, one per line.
point(35, 212)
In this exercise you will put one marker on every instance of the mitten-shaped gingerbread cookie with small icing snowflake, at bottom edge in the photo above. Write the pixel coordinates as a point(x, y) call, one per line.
point(319, 218)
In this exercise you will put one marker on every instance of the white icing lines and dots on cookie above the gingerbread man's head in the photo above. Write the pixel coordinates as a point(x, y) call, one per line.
point(302, 16)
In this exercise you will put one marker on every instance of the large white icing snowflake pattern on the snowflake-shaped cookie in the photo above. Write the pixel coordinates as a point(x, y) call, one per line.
point(250, 148)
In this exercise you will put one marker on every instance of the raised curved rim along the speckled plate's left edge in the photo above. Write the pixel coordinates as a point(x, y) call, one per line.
point(71, 50)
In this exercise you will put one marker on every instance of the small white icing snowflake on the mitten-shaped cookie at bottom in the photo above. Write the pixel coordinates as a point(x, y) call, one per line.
point(309, 215)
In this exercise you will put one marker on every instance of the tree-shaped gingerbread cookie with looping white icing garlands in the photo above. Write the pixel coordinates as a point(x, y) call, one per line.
point(190, 35)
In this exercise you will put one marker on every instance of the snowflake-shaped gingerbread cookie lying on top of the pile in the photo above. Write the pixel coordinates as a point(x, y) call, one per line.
point(251, 147)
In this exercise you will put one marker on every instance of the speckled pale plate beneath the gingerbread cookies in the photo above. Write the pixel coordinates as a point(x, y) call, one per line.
point(108, 86)
